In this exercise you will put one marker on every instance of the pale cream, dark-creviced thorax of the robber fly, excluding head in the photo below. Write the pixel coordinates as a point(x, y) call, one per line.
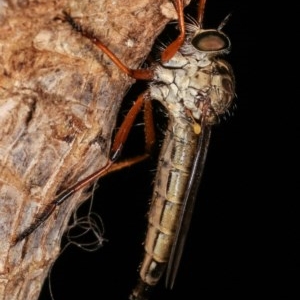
point(195, 89)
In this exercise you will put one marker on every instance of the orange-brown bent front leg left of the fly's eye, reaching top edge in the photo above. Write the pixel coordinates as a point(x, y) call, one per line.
point(170, 51)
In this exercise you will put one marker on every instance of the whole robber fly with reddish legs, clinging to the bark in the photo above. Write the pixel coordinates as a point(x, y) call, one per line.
point(196, 87)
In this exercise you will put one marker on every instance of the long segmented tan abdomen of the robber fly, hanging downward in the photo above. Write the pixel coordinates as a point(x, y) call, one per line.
point(170, 185)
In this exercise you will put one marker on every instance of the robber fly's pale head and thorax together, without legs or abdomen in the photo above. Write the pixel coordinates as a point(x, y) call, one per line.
point(195, 83)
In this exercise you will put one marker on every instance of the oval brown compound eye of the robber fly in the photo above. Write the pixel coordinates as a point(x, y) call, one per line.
point(211, 41)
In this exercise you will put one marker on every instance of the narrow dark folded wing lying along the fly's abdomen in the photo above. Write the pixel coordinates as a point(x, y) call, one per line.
point(188, 206)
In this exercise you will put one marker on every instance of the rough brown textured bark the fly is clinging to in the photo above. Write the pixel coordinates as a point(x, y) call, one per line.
point(59, 99)
